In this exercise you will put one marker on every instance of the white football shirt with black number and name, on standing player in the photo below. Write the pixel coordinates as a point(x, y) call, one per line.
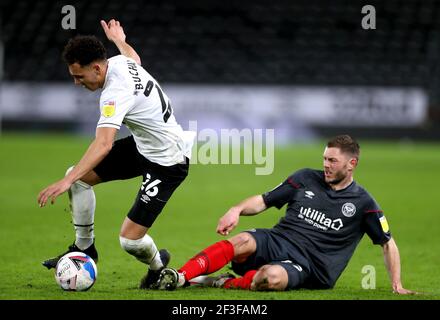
point(131, 96)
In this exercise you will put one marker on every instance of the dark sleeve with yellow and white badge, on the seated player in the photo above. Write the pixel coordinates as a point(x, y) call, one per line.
point(376, 225)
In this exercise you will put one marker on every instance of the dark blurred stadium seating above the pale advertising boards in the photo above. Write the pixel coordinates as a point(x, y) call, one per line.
point(241, 42)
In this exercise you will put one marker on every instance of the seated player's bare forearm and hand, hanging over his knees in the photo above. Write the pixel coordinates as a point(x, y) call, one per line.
point(248, 207)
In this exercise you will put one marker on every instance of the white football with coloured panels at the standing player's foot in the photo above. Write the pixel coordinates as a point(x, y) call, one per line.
point(76, 271)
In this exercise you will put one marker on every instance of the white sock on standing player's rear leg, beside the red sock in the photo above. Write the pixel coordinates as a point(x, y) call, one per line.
point(143, 249)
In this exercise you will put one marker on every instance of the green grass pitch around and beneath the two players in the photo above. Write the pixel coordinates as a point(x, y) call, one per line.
point(403, 177)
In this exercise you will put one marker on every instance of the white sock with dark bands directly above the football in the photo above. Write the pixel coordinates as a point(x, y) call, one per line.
point(82, 204)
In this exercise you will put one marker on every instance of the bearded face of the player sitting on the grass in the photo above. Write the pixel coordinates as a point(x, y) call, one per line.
point(338, 166)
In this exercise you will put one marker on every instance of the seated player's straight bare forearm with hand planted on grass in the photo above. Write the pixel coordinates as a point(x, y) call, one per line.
point(392, 263)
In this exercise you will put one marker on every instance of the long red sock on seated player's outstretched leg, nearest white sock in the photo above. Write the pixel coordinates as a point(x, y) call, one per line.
point(209, 260)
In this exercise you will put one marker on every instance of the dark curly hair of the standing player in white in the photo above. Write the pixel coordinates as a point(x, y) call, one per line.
point(84, 50)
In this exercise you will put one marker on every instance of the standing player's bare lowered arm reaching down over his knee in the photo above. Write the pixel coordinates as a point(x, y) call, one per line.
point(97, 151)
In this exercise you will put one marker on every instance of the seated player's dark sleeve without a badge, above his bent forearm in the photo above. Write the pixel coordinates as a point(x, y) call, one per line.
point(283, 193)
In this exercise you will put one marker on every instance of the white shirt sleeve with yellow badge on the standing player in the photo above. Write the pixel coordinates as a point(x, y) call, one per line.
point(114, 105)
